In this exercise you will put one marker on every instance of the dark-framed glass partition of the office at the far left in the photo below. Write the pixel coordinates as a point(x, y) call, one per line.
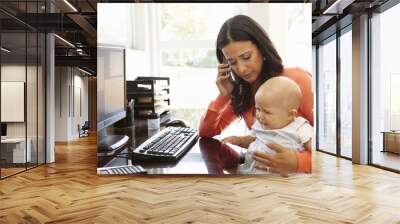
point(22, 64)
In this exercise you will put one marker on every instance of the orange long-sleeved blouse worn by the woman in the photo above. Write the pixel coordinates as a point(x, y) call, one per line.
point(220, 113)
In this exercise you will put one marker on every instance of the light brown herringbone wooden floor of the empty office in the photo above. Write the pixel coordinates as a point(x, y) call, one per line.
point(69, 191)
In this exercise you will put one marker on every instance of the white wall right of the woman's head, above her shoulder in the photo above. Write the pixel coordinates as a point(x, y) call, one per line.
point(288, 28)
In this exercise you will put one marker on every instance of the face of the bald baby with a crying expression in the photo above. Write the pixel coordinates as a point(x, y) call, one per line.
point(270, 115)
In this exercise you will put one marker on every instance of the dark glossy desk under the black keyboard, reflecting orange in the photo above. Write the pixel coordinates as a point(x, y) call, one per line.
point(207, 156)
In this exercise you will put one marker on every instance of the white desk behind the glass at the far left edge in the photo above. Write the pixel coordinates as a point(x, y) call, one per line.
point(16, 148)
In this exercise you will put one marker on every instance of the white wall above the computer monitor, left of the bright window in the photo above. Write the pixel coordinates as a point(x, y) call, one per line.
point(118, 26)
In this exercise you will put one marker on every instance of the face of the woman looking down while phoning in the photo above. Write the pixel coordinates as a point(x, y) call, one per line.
point(245, 59)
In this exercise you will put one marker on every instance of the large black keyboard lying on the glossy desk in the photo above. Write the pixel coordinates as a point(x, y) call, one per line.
point(168, 145)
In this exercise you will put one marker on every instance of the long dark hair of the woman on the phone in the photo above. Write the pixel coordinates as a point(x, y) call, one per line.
point(243, 28)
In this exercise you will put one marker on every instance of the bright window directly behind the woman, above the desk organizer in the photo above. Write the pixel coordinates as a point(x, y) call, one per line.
point(187, 38)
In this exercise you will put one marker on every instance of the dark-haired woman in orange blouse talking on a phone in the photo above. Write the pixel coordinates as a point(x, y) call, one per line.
point(245, 50)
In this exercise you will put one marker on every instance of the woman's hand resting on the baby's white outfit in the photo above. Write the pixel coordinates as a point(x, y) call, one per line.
point(283, 162)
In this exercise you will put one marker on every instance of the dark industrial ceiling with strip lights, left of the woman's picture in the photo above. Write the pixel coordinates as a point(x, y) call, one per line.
point(75, 43)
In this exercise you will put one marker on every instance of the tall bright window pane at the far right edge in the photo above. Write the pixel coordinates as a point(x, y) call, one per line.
point(385, 84)
